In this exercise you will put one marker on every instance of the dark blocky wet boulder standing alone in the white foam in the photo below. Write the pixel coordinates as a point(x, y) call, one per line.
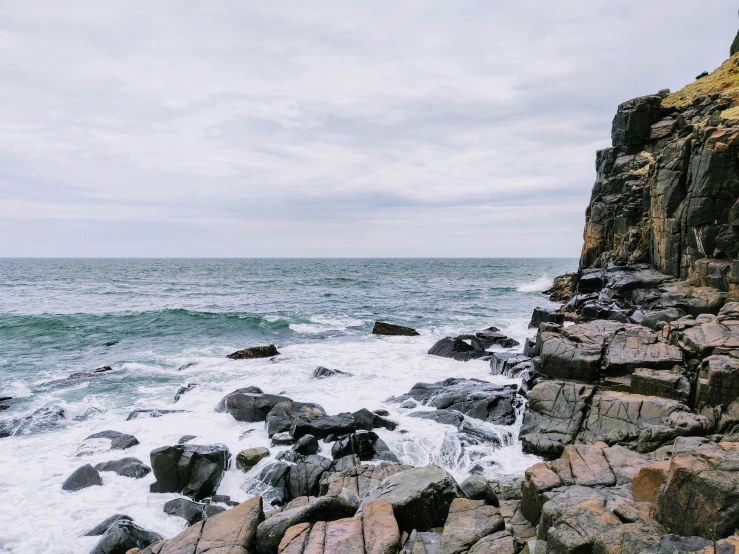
point(195, 471)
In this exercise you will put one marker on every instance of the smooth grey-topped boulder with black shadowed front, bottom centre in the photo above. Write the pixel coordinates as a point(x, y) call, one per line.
point(420, 497)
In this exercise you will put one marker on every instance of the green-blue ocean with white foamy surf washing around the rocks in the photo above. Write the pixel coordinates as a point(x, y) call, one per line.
point(163, 323)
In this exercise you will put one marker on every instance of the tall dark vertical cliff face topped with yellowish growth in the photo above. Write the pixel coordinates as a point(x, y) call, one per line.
point(667, 191)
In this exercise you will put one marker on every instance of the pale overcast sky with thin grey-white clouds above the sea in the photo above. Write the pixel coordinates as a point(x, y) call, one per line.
point(346, 128)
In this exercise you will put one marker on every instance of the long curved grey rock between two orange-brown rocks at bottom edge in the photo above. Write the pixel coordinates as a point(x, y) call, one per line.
point(322, 509)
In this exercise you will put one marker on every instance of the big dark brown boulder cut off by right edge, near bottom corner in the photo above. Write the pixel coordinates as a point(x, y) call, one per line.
point(701, 493)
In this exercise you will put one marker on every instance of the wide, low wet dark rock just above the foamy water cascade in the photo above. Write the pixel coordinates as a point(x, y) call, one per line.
point(472, 397)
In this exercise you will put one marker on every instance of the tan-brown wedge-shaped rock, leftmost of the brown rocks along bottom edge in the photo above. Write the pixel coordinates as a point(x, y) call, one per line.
point(233, 532)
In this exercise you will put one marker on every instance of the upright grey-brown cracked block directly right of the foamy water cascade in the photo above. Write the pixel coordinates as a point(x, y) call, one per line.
point(554, 416)
